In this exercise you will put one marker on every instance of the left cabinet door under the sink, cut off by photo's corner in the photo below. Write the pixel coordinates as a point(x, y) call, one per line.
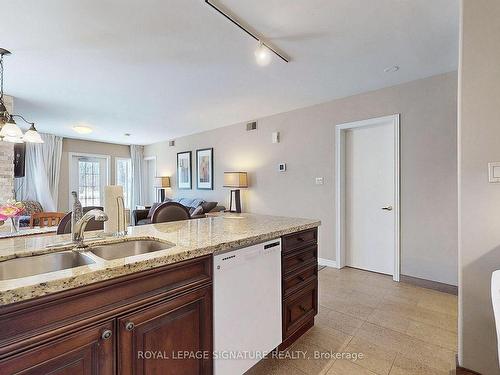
point(87, 352)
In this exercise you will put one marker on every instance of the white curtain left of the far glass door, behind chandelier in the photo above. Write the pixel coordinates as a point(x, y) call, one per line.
point(42, 166)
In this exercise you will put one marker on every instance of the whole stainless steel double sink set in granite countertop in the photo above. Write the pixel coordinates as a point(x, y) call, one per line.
point(40, 264)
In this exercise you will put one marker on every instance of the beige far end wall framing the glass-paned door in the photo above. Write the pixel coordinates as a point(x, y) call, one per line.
point(88, 147)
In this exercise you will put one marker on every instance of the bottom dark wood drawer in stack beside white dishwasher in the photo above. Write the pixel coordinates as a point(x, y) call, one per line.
point(299, 308)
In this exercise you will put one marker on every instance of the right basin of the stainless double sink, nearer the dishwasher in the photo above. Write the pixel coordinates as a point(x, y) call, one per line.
point(128, 248)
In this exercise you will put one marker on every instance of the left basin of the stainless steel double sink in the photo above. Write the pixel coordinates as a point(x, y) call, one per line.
point(38, 264)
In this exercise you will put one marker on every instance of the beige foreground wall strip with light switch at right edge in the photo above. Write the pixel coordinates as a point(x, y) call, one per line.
point(479, 143)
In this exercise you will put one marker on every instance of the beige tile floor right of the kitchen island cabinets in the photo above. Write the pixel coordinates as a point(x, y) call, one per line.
point(399, 329)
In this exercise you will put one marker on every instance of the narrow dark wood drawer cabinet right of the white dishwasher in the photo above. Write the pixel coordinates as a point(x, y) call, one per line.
point(300, 284)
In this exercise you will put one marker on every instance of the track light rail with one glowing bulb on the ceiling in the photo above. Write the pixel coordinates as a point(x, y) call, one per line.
point(263, 53)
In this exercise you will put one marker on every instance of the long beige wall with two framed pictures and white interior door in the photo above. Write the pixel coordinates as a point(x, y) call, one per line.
point(428, 190)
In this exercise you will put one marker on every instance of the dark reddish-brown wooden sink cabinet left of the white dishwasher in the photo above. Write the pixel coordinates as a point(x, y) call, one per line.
point(166, 309)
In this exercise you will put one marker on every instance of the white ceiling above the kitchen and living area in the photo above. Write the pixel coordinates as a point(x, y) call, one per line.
point(159, 69)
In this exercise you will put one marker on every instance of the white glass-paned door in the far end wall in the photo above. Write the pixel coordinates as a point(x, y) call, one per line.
point(88, 177)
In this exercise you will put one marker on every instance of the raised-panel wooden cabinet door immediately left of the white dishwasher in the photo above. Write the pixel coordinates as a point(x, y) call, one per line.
point(173, 337)
